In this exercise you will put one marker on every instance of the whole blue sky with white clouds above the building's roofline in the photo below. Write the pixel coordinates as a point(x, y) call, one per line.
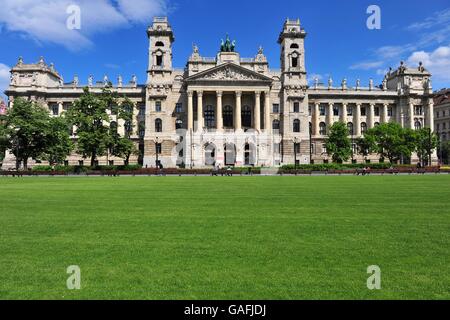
point(112, 39)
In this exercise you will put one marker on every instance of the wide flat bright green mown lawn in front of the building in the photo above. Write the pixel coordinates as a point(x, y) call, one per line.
point(225, 238)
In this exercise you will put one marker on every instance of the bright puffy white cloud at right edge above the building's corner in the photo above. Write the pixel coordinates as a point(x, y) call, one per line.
point(437, 62)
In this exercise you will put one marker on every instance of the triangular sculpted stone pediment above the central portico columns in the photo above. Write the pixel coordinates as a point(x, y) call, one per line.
point(229, 72)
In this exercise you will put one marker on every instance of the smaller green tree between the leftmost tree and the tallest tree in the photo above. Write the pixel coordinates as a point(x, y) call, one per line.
point(59, 144)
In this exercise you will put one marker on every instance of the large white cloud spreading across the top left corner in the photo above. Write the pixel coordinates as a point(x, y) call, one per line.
point(45, 20)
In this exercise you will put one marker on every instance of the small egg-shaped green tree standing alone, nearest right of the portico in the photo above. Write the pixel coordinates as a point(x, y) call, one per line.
point(338, 143)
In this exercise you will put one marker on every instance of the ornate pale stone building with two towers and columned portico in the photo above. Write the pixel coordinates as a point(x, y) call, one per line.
point(231, 110)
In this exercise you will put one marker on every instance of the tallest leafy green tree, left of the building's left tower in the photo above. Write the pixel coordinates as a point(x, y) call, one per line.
point(90, 115)
